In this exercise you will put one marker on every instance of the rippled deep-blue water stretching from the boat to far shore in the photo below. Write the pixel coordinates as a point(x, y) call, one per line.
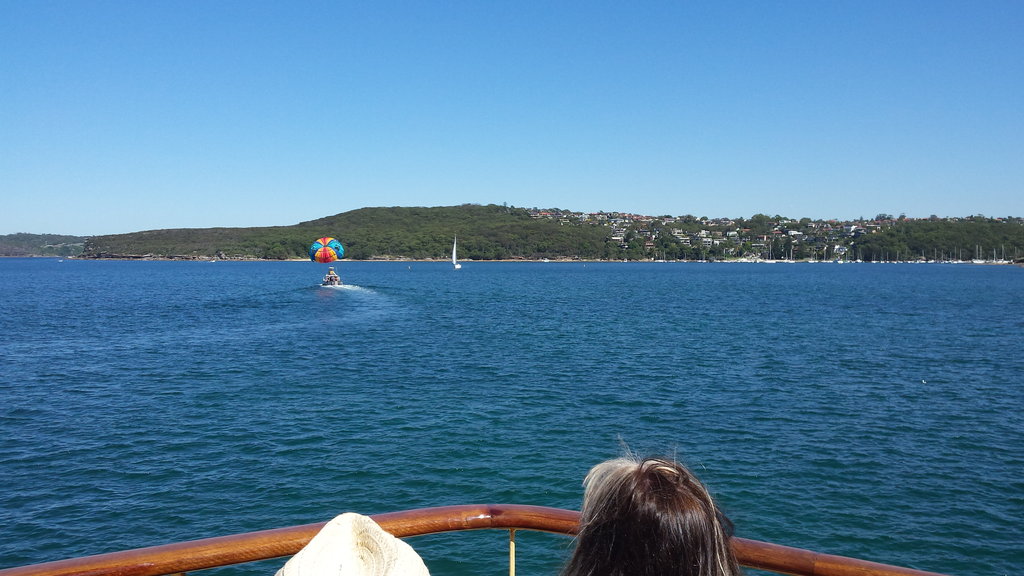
point(865, 410)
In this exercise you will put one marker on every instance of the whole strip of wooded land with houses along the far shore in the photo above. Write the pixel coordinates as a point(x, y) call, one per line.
point(496, 233)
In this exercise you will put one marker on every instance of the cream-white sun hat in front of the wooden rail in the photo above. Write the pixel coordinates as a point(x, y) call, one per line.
point(353, 545)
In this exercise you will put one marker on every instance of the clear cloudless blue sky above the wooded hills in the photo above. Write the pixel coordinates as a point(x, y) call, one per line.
point(124, 116)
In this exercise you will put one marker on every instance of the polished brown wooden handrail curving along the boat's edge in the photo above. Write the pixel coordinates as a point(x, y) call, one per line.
point(225, 551)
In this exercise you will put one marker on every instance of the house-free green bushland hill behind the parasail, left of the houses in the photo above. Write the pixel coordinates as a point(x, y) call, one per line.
point(485, 233)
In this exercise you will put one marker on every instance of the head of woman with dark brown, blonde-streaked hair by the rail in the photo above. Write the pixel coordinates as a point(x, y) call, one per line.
point(649, 518)
